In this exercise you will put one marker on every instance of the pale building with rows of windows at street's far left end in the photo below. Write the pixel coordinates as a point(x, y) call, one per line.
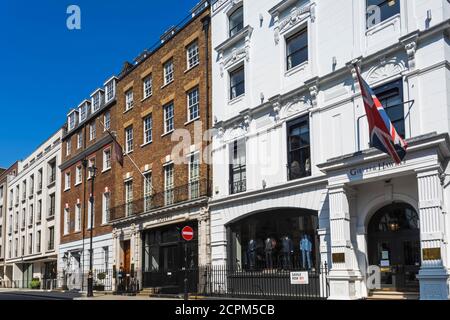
point(32, 217)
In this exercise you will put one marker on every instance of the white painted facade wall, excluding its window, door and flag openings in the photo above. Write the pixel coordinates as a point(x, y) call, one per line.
point(349, 181)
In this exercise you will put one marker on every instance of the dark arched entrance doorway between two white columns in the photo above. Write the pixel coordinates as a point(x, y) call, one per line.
point(394, 246)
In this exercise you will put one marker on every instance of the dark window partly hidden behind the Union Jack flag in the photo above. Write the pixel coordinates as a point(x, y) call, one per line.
point(391, 97)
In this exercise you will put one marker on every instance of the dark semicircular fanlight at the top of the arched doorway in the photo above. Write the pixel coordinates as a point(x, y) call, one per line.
point(394, 218)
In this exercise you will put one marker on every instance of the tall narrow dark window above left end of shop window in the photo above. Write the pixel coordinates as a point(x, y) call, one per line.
point(238, 179)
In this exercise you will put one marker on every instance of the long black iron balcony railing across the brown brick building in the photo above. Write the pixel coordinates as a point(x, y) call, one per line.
point(172, 196)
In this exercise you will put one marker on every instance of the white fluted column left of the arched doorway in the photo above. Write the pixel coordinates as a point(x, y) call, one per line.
point(344, 275)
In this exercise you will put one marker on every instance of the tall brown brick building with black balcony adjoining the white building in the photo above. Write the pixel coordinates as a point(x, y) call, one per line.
point(166, 90)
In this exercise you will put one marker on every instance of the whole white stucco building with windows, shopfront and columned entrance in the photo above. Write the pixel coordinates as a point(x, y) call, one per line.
point(291, 154)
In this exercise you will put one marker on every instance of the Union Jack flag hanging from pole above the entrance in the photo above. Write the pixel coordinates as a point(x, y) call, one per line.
point(383, 135)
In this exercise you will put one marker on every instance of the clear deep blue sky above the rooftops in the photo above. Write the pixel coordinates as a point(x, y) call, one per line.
point(47, 69)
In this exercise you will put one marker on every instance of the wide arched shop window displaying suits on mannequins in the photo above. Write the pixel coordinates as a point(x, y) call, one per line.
point(281, 239)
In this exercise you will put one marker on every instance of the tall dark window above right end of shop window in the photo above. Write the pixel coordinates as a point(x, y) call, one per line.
point(299, 154)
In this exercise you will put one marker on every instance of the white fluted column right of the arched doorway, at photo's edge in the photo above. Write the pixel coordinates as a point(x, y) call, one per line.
point(433, 275)
